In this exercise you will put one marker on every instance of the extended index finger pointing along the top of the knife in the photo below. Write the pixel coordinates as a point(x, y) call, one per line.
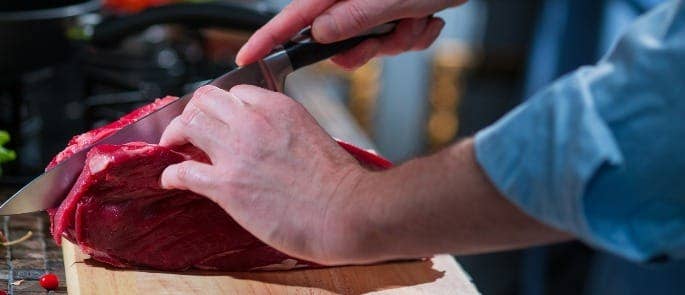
point(293, 18)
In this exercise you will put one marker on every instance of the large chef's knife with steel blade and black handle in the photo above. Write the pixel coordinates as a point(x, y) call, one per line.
point(50, 188)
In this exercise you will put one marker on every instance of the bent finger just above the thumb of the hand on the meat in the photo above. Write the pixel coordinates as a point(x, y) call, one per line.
point(196, 127)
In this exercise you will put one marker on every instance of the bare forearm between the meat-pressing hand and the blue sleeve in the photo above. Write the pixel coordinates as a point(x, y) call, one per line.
point(443, 203)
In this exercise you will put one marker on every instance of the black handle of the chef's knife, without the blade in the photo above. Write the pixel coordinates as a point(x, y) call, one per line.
point(304, 51)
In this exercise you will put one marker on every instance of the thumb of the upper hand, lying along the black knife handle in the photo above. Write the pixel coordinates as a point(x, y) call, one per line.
point(346, 19)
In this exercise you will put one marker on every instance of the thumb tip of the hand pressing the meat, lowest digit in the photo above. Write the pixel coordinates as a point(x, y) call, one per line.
point(189, 175)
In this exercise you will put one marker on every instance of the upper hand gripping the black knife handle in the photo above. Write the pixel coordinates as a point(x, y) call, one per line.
point(335, 20)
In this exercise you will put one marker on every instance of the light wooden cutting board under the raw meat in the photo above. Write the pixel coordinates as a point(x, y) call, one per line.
point(439, 275)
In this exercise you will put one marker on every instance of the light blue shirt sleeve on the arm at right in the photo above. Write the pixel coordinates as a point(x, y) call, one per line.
point(601, 152)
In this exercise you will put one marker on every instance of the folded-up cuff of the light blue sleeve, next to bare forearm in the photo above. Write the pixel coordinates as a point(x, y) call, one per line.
point(542, 155)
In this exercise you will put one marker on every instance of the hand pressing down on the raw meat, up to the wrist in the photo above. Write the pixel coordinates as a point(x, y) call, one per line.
point(273, 169)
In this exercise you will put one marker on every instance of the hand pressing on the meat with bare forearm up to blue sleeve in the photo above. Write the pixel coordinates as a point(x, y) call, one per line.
point(282, 178)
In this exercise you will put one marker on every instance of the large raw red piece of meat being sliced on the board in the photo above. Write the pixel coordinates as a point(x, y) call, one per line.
point(118, 214)
